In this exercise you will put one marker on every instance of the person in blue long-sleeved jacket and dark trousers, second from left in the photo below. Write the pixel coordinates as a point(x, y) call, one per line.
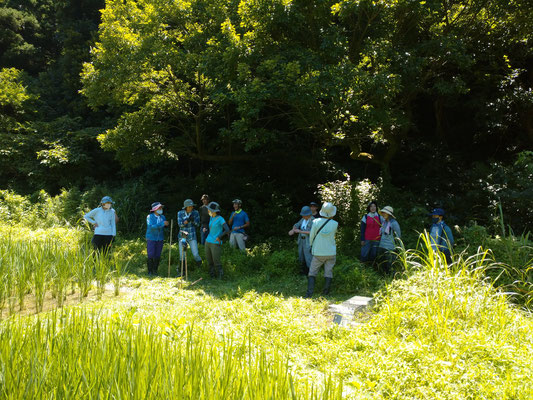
point(155, 234)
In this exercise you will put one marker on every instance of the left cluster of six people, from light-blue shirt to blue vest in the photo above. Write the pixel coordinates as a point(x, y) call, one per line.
point(213, 228)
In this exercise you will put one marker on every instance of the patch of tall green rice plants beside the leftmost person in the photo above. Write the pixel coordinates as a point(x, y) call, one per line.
point(51, 261)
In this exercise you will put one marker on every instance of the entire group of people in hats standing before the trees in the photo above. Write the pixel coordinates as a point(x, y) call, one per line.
point(315, 232)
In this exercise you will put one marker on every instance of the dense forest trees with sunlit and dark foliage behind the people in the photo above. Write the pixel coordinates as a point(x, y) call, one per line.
point(97, 91)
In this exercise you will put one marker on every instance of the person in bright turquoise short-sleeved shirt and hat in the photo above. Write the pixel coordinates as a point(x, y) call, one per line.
point(213, 243)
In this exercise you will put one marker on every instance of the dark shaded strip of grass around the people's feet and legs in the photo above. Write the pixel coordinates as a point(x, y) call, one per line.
point(259, 269)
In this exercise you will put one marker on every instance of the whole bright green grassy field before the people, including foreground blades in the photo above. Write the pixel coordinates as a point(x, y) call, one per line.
point(436, 332)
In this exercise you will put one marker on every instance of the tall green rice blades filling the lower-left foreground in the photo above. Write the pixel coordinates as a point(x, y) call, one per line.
point(76, 354)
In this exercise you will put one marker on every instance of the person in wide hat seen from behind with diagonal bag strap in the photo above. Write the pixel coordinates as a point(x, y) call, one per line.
point(323, 247)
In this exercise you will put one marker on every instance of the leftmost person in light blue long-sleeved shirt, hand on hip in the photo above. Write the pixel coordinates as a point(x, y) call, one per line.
point(104, 219)
